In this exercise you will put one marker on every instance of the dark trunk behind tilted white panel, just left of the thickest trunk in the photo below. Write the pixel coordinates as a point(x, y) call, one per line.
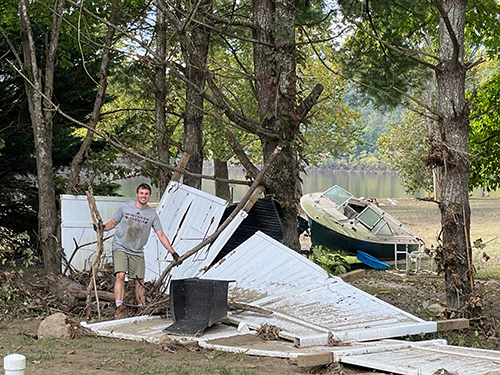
point(196, 56)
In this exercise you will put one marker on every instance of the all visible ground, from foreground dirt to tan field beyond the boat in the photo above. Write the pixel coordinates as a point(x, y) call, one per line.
point(422, 294)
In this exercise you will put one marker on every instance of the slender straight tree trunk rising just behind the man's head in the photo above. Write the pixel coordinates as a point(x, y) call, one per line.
point(162, 136)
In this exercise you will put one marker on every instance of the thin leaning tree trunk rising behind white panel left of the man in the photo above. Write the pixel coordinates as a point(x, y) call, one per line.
point(83, 153)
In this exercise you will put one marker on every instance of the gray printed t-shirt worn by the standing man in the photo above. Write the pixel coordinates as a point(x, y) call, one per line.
point(134, 227)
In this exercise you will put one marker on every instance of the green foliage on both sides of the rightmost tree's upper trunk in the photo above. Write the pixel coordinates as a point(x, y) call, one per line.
point(383, 75)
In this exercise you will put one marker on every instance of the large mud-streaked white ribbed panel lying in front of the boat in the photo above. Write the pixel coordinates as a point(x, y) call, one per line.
point(308, 305)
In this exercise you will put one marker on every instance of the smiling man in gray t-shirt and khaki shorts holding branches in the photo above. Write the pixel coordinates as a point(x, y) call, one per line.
point(133, 222)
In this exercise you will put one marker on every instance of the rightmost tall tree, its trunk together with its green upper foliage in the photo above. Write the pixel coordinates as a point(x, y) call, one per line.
point(396, 45)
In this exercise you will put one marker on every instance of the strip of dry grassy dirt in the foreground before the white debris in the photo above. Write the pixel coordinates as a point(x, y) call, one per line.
point(97, 355)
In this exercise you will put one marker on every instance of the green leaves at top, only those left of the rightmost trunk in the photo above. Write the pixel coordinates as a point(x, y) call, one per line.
point(377, 69)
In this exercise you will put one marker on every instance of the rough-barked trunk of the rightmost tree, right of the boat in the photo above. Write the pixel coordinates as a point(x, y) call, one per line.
point(454, 129)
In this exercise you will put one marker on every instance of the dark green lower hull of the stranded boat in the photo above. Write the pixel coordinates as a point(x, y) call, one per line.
point(326, 237)
